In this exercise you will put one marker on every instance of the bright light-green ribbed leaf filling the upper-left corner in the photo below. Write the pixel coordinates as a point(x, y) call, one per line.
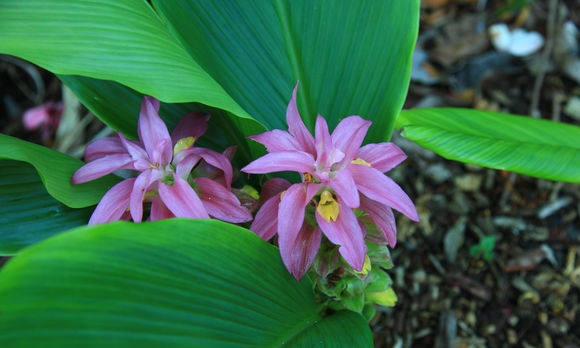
point(118, 40)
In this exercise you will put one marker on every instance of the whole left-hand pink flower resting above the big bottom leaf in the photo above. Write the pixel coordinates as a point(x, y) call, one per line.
point(165, 164)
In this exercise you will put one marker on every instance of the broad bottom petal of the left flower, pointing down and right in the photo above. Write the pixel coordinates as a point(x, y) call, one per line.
point(182, 200)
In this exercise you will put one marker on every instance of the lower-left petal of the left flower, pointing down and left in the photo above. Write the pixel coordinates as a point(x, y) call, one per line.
point(114, 203)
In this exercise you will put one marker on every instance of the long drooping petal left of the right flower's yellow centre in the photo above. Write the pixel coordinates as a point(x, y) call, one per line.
point(290, 220)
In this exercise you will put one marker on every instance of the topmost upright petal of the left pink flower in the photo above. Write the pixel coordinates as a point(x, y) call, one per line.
point(153, 132)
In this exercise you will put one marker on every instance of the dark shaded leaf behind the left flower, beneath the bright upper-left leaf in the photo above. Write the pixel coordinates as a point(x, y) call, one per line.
point(118, 106)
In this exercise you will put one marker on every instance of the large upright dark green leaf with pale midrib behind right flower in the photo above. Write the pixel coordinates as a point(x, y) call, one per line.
point(351, 57)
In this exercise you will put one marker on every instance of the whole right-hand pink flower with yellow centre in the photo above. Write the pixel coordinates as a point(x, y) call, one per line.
point(338, 176)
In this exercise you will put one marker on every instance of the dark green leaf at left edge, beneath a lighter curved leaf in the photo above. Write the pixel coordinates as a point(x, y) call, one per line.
point(28, 214)
